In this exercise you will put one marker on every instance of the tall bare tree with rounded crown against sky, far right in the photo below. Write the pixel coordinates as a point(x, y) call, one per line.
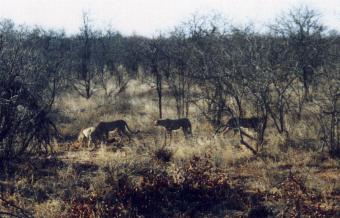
point(303, 30)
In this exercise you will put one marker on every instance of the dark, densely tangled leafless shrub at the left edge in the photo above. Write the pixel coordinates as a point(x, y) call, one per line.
point(24, 120)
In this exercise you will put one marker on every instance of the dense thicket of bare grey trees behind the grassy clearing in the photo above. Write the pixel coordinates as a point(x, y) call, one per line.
point(221, 69)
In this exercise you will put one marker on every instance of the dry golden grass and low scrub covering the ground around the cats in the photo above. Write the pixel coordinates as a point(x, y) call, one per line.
point(79, 182)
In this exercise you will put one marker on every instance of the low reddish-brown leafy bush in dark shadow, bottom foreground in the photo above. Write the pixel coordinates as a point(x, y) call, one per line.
point(201, 190)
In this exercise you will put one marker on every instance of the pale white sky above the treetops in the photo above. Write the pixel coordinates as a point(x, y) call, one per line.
point(149, 17)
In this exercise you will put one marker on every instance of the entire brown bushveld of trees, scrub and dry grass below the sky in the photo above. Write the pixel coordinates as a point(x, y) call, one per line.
point(52, 86)
